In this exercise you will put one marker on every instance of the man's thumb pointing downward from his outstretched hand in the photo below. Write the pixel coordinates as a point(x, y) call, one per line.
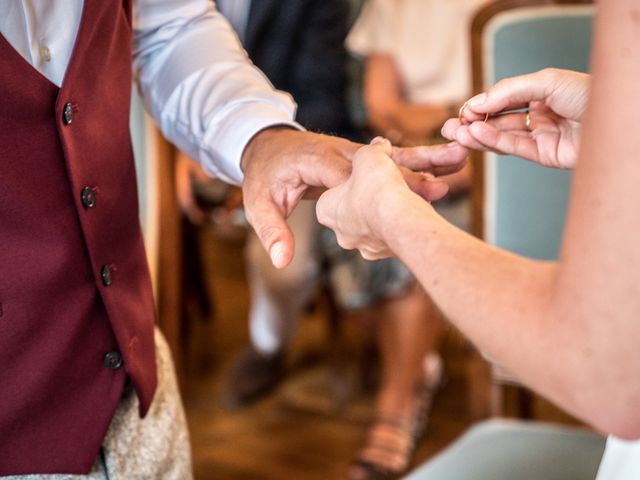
point(273, 232)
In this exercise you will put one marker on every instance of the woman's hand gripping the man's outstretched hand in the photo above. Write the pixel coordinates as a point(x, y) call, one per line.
point(361, 210)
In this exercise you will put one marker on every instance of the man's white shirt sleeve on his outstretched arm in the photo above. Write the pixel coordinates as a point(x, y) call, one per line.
point(199, 85)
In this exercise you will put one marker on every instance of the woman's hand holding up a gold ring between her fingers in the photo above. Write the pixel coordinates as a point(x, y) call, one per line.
point(547, 132)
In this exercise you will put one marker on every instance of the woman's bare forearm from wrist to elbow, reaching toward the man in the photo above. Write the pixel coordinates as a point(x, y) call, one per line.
point(509, 306)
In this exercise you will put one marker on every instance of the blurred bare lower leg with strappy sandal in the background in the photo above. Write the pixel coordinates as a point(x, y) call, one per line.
point(408, 330)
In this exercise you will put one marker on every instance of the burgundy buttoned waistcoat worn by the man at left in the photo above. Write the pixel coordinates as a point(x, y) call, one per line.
point(76, 308)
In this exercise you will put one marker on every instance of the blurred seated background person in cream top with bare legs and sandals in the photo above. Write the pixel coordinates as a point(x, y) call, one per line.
point(416, 57)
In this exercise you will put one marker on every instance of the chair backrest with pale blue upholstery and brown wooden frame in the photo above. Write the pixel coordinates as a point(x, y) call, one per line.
point(521, 206)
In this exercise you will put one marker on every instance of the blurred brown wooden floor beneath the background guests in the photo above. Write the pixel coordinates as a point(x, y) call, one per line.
point(295, 433)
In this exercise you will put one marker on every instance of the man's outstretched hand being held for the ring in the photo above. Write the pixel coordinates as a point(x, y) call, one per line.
point(283, 165)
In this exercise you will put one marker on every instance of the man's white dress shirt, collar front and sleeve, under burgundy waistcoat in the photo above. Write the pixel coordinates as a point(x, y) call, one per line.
point(195, 78)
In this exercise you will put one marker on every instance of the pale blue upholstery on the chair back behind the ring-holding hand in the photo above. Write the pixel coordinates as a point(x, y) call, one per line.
point(531, 200)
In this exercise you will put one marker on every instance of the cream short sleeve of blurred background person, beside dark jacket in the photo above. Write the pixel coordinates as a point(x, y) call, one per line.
point(374, 29)
